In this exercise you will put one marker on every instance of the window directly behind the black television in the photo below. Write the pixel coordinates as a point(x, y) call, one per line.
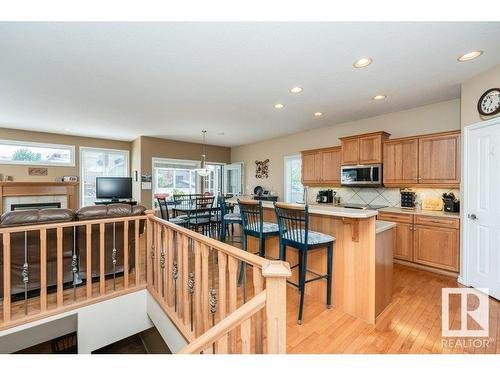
point(97, 162)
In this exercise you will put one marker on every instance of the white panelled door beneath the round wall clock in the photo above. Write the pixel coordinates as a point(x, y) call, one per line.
point(481, 216)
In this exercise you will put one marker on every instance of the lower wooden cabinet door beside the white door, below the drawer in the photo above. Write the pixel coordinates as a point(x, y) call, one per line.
point(437, 247)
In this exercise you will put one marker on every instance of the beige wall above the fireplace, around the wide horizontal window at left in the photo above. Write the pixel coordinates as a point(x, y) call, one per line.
point(20, 172)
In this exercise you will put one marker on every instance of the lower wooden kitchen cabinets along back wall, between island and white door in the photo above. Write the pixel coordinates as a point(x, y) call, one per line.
point(426, 240)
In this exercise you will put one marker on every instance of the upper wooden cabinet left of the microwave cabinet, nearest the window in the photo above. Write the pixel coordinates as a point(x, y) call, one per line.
point(321, 166)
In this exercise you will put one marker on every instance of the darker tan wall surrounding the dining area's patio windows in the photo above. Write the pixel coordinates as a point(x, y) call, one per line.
point(165, 148)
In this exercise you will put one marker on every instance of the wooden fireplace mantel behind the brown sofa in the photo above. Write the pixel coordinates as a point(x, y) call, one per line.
point(18, 189)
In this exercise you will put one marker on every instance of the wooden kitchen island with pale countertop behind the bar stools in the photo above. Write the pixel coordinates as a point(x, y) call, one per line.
point(362, 258)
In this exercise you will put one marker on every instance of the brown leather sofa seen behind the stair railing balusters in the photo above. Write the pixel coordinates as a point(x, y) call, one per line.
point(57, 215)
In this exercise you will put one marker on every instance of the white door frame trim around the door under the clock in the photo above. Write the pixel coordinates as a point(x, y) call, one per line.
point(463, 277)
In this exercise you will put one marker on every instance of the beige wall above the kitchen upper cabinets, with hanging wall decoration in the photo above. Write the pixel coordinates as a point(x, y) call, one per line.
point(432, 118)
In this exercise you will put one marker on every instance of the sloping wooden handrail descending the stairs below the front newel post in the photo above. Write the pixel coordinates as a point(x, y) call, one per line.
point(232, 321)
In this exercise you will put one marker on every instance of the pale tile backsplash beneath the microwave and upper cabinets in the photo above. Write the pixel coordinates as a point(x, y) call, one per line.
point(378, 196)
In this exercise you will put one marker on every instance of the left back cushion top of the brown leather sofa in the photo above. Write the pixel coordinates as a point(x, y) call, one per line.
point(32, 217)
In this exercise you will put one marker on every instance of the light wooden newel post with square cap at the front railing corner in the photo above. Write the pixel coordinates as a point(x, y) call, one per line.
point(276, 273)
